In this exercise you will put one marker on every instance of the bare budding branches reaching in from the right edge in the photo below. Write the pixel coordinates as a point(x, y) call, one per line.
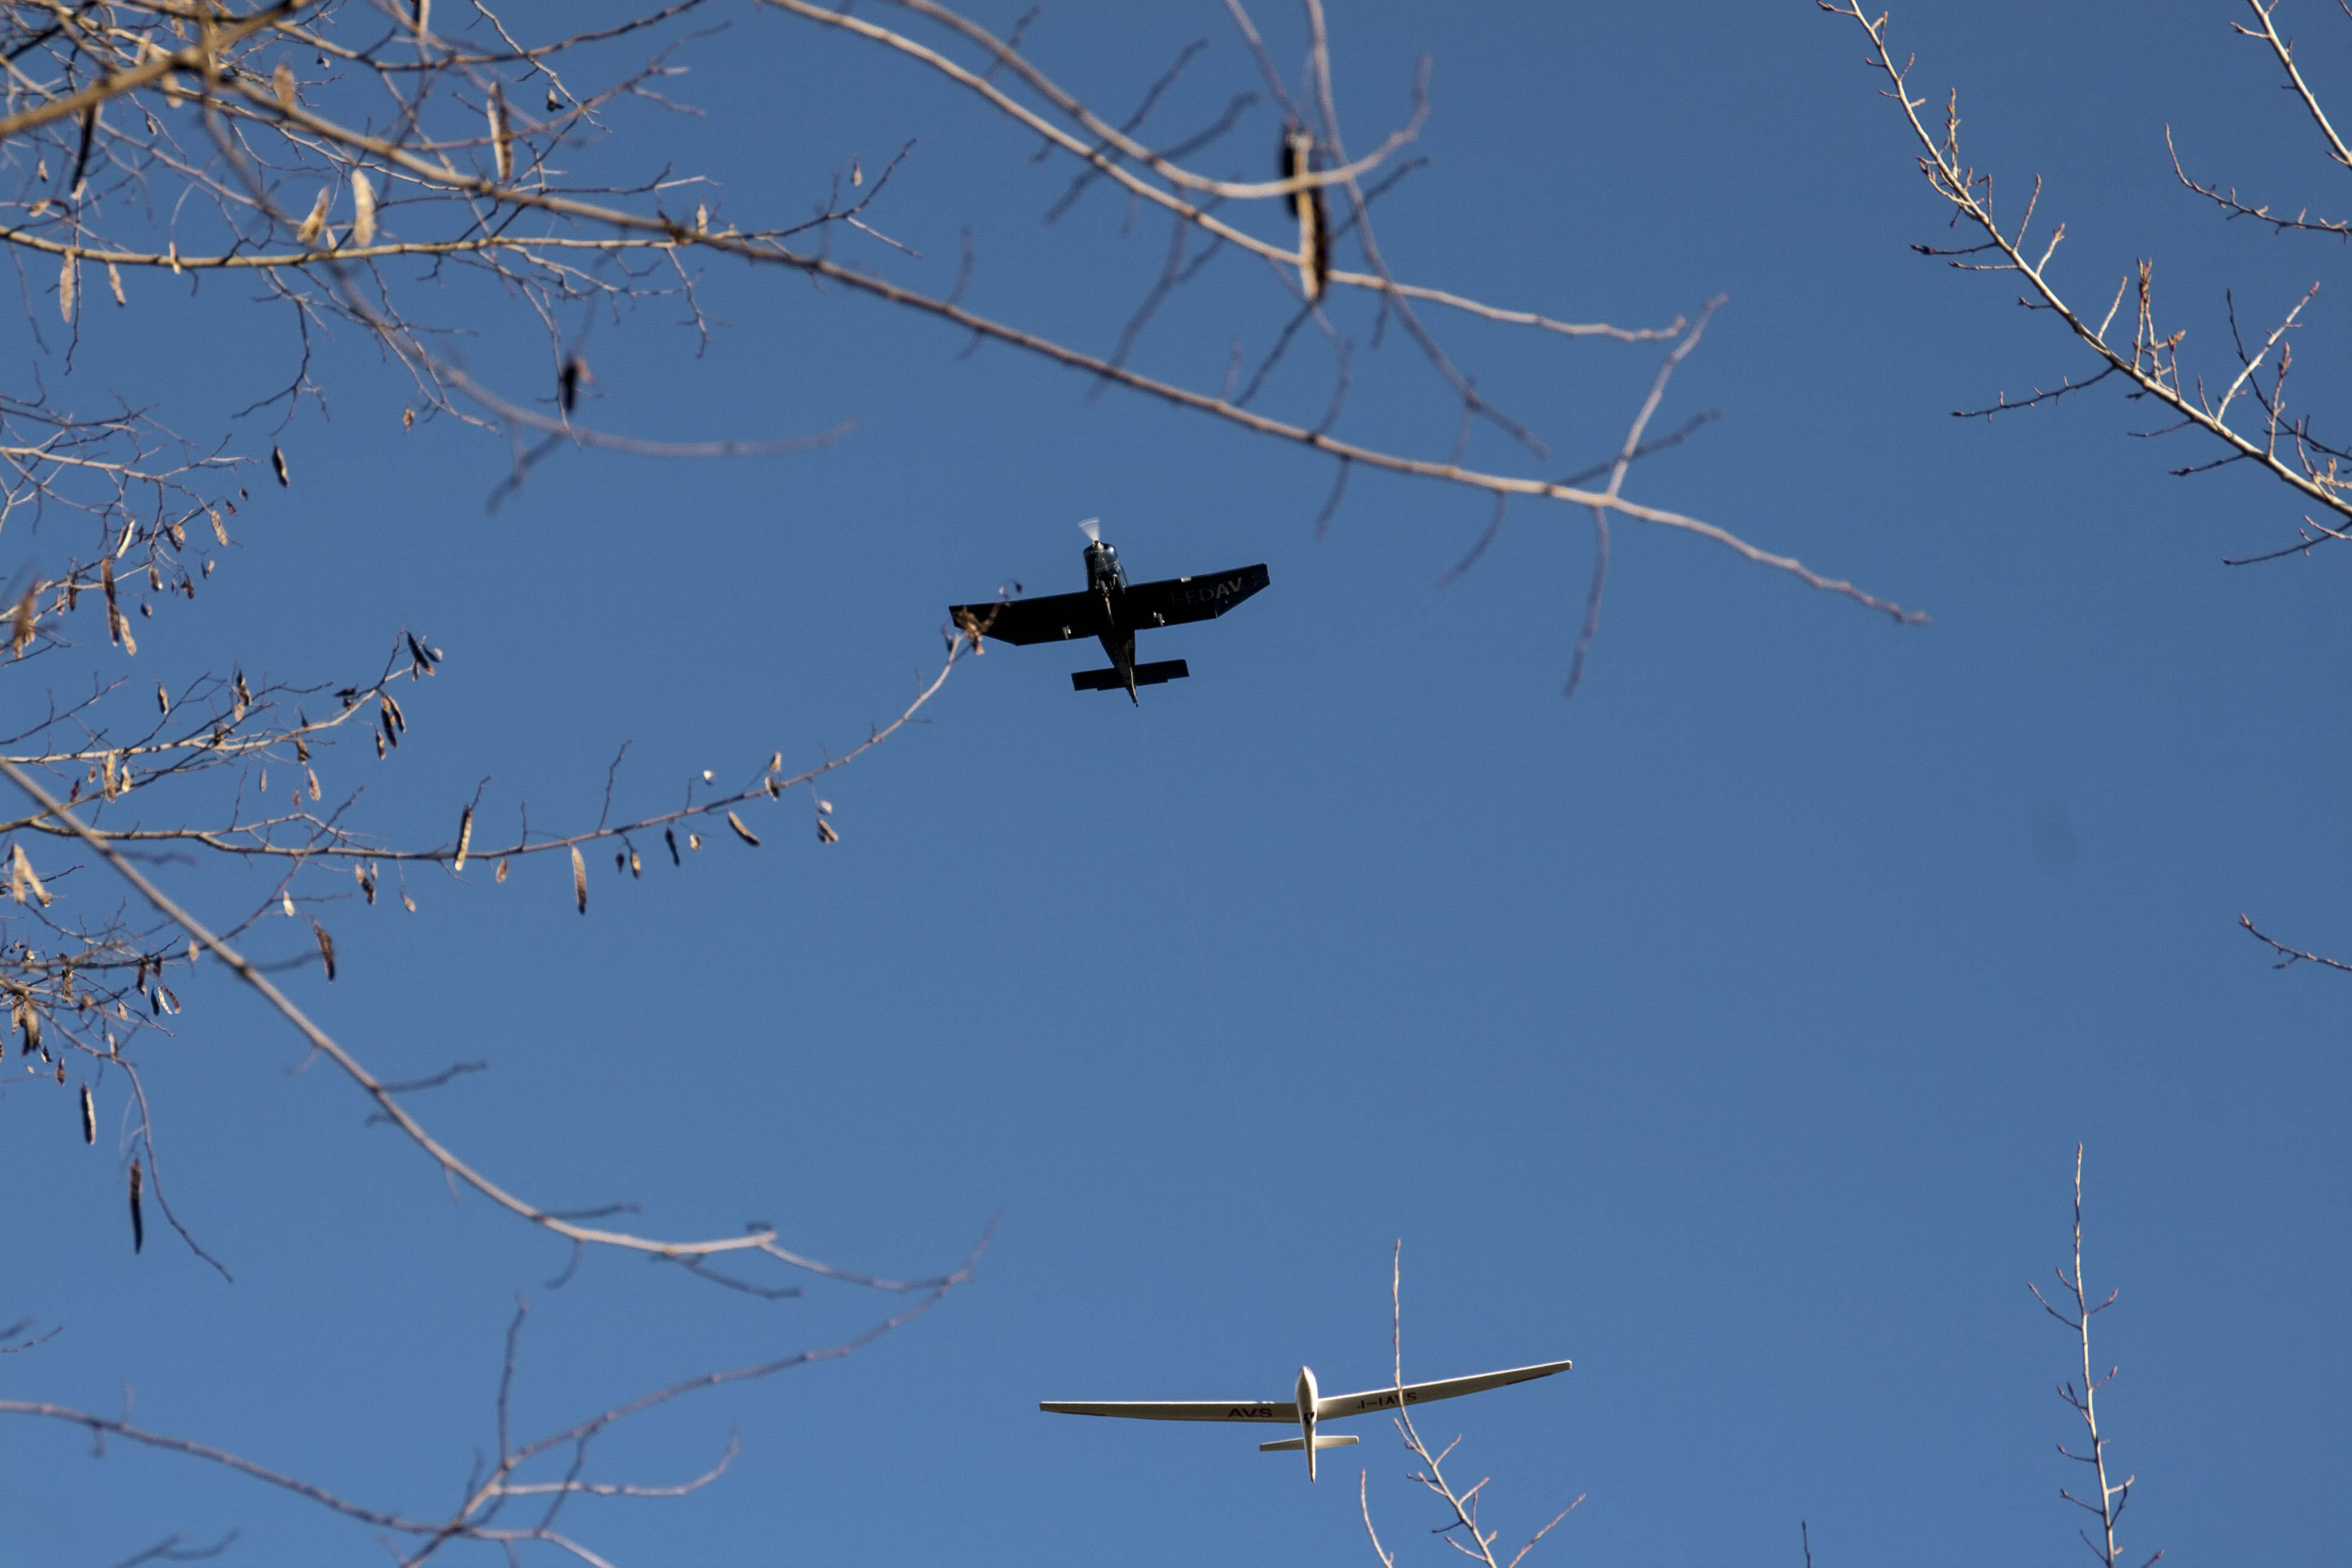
point(2240, 420)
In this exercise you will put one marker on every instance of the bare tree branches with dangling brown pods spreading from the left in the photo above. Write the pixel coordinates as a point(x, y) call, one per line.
point(408, 173)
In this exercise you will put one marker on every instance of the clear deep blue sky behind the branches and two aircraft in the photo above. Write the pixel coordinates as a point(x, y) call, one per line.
point(1728, 1028)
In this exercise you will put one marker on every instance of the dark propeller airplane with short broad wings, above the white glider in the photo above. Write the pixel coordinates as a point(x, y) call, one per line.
point(1116, 612)
